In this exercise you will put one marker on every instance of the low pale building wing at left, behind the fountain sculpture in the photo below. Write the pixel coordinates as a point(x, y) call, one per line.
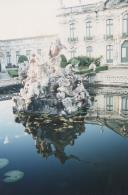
point(13, 48)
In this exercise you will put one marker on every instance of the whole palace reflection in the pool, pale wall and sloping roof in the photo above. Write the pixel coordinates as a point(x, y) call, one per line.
point(110, 108)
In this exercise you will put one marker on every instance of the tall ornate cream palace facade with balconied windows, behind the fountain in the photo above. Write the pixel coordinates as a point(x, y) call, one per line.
point(99, 29)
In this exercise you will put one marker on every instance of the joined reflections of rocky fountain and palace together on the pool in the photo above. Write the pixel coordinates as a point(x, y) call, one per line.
point(52, 134)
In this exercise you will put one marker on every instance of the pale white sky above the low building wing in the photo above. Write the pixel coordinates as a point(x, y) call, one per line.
point(23, 18)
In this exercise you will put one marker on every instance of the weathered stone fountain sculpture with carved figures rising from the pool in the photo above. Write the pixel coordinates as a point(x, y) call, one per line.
point(50, 89)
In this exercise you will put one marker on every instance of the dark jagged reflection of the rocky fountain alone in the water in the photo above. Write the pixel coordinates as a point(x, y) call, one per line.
point(53, 134)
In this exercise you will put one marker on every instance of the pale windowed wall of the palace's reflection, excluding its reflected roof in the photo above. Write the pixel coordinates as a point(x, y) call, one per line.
point(111, 102)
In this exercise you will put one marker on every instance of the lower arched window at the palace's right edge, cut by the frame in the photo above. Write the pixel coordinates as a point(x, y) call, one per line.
point(124, 52)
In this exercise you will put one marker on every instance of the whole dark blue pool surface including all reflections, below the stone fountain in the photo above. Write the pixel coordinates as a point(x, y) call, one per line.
point(76, 156)
